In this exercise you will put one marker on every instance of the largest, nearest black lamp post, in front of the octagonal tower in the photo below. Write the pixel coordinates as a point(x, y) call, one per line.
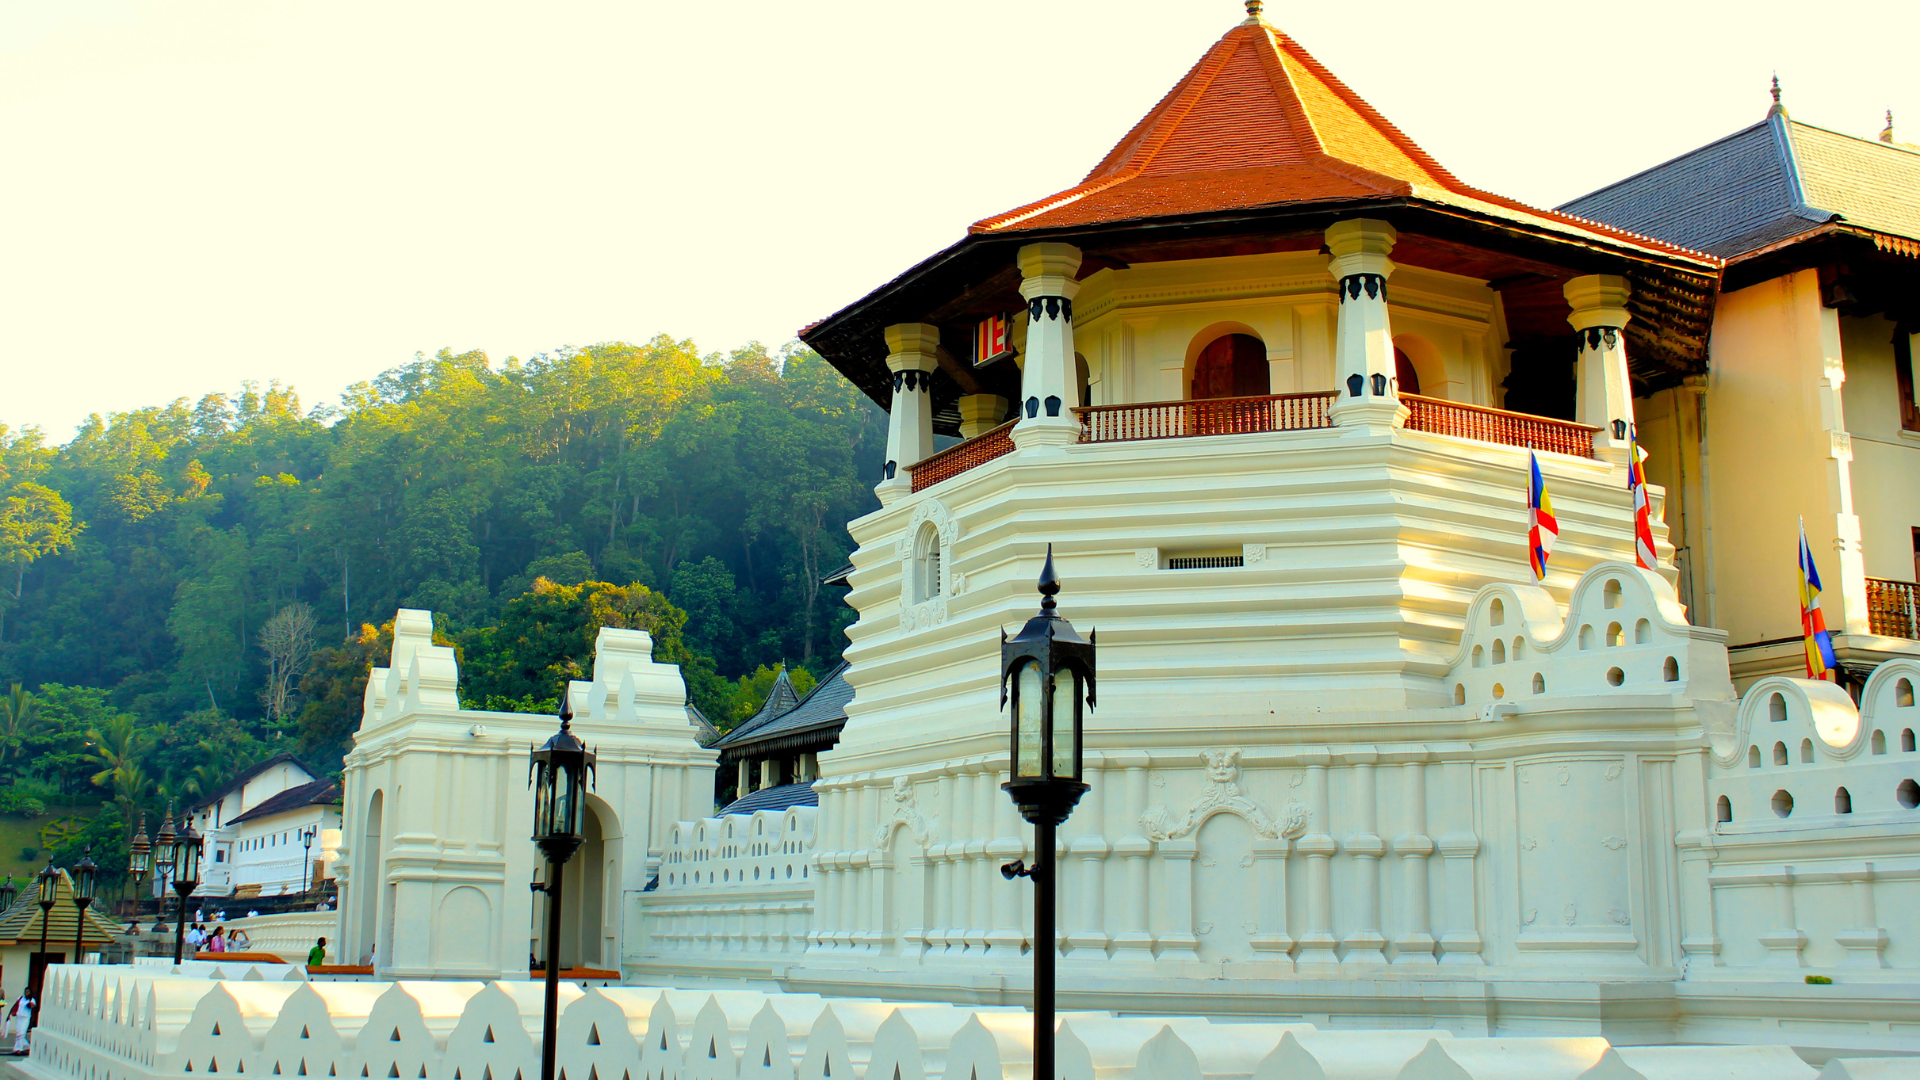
point(1051, 672)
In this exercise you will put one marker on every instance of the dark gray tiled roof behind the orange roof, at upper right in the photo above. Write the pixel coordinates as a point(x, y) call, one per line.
point(1762, 185)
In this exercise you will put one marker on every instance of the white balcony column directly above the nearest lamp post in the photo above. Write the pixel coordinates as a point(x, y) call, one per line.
point(1047, 383)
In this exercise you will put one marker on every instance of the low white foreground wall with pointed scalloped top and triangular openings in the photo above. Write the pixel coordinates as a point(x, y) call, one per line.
point(118, 1023)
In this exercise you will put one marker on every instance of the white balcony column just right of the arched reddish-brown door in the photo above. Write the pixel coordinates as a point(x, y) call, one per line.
point(1364, 337)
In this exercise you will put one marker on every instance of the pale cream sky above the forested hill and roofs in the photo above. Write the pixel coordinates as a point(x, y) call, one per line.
point(199, 193)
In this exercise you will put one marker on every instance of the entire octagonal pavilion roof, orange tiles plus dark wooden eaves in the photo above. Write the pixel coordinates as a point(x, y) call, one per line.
point(1259, 149)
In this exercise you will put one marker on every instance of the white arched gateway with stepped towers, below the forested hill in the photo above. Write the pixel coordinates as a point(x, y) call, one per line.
point(435, 856)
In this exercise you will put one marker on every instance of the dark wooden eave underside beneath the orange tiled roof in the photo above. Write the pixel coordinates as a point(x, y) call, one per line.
point(974, 278)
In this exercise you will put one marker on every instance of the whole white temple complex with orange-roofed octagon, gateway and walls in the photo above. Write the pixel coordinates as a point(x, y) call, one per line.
point(1270, 383)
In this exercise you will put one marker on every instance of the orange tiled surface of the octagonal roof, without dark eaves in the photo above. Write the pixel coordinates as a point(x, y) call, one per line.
point(1259, 122)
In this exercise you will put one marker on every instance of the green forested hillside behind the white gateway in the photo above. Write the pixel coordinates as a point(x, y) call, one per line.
point(199, 585)
